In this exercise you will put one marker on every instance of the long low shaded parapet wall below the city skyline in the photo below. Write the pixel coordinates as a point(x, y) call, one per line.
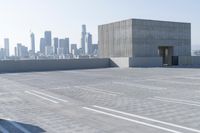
point(51, 65)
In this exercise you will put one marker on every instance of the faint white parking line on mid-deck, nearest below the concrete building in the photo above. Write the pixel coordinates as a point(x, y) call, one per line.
point(141, 86)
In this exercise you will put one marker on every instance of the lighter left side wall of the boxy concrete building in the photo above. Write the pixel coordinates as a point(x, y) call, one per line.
point(115, 39)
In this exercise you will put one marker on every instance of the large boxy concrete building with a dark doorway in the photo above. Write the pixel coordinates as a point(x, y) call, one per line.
point(156, 42)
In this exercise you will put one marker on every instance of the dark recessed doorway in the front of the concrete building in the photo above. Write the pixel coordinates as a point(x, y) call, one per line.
point(166, 53)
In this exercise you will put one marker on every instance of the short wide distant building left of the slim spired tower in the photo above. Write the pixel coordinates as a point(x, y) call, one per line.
point(21, 51)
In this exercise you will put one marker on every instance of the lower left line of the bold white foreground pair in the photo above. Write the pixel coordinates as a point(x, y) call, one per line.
point(132, 120)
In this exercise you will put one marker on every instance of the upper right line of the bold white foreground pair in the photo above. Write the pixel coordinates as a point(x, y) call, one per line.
point(149, 119)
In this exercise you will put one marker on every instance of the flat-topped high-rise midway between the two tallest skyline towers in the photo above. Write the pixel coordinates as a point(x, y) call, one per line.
point(64, 44)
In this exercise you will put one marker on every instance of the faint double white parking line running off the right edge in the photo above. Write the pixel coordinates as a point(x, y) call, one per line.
point(185, 102)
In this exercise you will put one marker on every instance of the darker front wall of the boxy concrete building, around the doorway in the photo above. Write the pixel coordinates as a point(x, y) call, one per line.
point(148, 35)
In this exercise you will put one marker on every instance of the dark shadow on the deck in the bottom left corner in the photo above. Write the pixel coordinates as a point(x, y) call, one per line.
point(18, 127)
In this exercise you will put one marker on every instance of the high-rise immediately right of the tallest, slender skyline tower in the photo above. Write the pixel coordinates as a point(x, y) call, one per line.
point(88, 44)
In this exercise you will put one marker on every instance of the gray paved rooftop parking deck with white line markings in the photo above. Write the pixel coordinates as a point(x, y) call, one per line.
point(135, 100)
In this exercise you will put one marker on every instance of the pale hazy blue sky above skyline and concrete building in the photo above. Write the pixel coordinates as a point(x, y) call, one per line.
point(65, 17)
